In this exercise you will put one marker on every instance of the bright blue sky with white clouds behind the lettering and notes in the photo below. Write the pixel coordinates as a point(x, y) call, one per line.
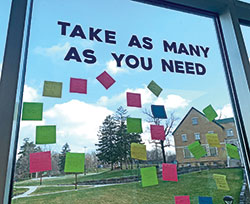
point(78, 116)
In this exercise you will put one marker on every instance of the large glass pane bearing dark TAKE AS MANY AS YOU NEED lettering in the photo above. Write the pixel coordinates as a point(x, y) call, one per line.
point(103, 81)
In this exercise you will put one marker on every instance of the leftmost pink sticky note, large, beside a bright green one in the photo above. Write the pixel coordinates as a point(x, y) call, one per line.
point(40, 161)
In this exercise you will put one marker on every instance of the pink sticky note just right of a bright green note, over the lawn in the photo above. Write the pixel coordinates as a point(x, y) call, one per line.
point(169, 172)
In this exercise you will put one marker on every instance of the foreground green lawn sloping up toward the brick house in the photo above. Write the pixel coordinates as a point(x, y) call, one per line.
point(193, 184)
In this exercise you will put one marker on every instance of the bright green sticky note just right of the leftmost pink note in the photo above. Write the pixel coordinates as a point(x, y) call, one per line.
point(74, 162)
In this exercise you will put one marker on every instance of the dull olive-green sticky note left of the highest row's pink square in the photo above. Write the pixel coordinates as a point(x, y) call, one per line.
point(52, 89)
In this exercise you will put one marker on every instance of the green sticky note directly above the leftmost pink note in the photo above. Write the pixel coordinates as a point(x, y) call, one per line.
point(46, 134)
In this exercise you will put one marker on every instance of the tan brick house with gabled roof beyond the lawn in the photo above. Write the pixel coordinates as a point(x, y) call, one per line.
point(194, 126)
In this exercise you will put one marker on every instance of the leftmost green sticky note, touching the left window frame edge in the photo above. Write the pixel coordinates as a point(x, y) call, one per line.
point(32, 111)
